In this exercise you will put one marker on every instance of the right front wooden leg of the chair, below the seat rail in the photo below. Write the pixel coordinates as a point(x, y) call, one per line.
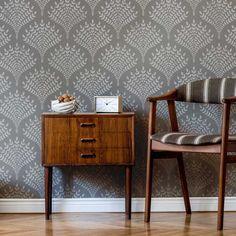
point(221, 196)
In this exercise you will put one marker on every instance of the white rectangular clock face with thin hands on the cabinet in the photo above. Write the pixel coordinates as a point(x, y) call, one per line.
point(106, 104)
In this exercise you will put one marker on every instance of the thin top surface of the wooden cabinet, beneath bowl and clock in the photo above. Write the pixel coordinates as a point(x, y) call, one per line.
point(87, 114)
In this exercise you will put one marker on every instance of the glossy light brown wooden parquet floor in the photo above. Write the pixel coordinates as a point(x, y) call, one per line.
point(109, 224)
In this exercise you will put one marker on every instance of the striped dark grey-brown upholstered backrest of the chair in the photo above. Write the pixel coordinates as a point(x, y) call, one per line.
point(207, 91)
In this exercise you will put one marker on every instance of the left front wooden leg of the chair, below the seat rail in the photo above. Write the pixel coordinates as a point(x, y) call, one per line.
point(148, 187)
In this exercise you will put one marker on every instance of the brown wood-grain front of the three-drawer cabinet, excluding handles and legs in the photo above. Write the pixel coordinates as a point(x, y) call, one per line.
point(112, 140)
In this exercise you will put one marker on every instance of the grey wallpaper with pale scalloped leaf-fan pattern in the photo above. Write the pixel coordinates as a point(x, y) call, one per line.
point(133, 48)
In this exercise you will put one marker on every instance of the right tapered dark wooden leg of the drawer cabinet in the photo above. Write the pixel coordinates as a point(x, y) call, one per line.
point(128, 191)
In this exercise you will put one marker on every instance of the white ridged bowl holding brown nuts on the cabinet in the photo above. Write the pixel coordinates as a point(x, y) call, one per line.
point(64, 107)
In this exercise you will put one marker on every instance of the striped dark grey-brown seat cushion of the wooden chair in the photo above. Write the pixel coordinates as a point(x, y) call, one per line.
point(189, 139)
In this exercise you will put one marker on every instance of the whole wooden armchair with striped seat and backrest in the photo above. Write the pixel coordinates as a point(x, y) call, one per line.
point(173, 144)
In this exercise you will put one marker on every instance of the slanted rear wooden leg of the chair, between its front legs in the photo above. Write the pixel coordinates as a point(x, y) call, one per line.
point(184, 183)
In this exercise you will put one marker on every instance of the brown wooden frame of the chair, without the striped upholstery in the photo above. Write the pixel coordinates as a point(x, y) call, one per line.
point(158, 150)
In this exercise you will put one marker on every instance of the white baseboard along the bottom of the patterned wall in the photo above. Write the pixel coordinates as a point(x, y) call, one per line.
point(112, 205)
